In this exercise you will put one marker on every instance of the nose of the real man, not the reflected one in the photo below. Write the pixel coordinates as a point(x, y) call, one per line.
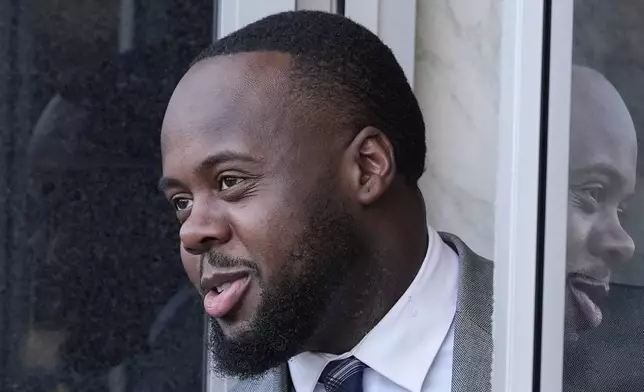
point(205, 228)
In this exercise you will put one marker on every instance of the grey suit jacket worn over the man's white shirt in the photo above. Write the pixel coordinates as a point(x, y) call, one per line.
point(472, 331)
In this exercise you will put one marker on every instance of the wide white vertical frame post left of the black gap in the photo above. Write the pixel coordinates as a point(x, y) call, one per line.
point(517, 201)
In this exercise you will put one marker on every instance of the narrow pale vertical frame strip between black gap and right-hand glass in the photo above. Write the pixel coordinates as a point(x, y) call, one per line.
point(555, 237)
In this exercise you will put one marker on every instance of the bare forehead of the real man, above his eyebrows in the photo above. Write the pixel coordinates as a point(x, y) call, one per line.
point(233, 93)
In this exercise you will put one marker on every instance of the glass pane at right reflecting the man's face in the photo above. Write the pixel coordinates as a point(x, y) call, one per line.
point(605, 256)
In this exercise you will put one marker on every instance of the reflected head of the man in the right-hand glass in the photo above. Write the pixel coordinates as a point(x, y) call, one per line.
point(603, 158)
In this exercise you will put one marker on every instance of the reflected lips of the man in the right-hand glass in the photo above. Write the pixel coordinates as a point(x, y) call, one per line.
point(587, 292)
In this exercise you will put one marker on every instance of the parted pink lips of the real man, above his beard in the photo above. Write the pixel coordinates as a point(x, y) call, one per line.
point(223, 291)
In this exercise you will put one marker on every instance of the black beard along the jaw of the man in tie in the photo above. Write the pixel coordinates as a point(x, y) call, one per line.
point(311, 286)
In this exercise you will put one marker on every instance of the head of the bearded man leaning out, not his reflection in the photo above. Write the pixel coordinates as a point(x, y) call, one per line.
point(285, 147)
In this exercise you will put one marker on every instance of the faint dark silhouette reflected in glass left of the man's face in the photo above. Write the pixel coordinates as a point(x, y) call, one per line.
point(107, 302)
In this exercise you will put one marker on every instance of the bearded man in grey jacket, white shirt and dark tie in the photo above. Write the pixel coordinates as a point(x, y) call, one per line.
point(291, 154)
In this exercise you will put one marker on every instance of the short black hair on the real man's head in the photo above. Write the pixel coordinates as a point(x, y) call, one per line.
point(333, 53)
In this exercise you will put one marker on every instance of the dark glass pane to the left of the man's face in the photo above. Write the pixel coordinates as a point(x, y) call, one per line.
point(94, 297)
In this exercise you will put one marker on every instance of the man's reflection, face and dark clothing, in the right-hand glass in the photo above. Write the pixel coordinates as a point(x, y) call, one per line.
point(603, 160)
